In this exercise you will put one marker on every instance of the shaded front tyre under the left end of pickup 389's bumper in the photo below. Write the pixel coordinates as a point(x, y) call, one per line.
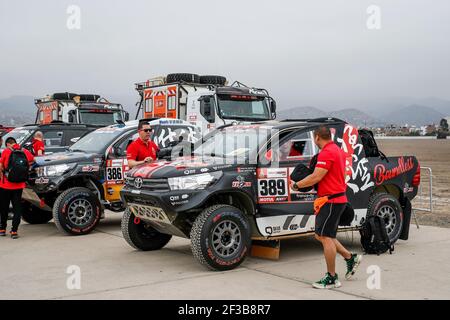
point(141, 236)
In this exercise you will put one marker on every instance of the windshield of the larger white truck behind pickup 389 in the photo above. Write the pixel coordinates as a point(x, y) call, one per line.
point(244, 107)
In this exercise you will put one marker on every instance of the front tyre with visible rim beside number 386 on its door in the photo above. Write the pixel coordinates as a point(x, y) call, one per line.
point(62, 211)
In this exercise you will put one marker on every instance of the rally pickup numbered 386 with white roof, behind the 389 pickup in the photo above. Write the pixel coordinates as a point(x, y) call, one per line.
point(74, 187)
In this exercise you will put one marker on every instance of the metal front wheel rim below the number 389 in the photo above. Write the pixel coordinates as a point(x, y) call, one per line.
point(226, 238)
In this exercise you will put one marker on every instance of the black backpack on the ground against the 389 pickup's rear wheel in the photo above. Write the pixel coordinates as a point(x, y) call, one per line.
point(374, 237)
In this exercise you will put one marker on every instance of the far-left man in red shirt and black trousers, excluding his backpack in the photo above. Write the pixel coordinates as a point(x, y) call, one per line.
point(12, 191)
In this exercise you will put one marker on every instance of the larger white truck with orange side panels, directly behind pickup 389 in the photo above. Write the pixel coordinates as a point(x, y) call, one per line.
point(207, 102)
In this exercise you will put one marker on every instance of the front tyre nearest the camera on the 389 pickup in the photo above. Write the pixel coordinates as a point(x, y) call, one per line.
point(203, 237)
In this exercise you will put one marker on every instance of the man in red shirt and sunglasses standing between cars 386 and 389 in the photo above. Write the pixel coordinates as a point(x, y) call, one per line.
point(143, 149)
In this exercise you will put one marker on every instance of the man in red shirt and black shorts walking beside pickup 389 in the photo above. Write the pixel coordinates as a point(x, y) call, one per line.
point(329, 174)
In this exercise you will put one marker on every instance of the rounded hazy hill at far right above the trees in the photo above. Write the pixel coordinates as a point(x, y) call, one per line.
point(414, 115)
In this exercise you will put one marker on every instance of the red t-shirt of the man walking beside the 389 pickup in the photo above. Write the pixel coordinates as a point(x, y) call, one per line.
point(333, 159)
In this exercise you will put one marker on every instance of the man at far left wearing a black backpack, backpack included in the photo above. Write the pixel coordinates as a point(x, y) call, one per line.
point(14, 167)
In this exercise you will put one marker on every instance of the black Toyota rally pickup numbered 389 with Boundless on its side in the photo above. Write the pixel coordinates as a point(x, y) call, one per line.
point(236, 187)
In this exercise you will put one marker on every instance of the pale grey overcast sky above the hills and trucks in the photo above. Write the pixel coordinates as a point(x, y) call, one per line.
point(313, 52)
